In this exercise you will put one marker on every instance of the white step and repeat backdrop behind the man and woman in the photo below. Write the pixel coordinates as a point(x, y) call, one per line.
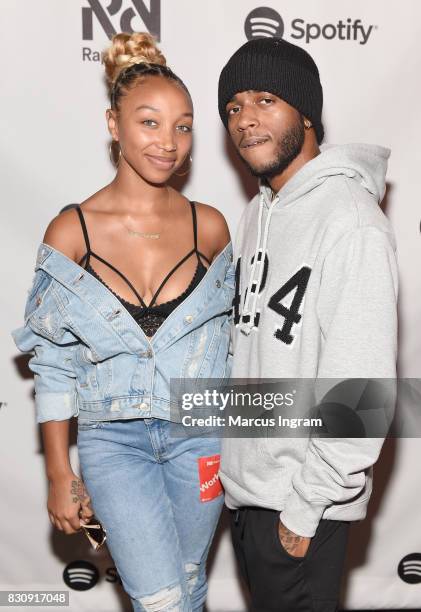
point(54, 152)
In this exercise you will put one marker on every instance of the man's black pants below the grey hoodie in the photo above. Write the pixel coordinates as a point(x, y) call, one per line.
point(277, 580)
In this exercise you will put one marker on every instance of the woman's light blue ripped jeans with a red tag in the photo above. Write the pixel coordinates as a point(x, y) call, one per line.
point(145, 489)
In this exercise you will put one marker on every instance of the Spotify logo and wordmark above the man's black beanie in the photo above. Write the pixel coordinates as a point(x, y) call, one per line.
point(266, 22)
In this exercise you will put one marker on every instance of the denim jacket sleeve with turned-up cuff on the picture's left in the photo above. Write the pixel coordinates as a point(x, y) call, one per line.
point(52, 360)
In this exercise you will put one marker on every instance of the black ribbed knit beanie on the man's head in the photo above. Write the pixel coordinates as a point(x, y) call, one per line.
point(278, 67)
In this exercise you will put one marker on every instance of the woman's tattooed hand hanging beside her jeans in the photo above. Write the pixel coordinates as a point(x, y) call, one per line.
point(68, 503)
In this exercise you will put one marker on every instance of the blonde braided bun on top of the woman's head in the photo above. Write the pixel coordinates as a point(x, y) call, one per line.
point(128, 49)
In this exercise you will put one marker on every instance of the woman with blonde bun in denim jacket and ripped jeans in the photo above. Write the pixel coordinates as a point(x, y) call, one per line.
point(132, 289)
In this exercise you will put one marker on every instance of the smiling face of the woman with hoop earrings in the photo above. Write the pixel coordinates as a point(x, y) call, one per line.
point(154, 128)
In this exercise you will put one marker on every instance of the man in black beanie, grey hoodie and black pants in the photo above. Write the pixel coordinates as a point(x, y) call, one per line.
point(316, 285)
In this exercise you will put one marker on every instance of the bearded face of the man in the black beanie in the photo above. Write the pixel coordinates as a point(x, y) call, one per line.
point(267, 132)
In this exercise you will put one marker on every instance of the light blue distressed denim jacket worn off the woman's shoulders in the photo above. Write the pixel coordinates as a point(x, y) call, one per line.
point(92, 360)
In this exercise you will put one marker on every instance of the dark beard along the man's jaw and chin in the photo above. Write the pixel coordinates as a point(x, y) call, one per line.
point(288, 148)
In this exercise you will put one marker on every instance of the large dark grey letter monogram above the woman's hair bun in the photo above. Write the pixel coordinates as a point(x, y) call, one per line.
point(113, 17)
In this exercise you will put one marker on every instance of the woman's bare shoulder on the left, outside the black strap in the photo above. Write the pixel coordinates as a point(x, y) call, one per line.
point(64, 234)
